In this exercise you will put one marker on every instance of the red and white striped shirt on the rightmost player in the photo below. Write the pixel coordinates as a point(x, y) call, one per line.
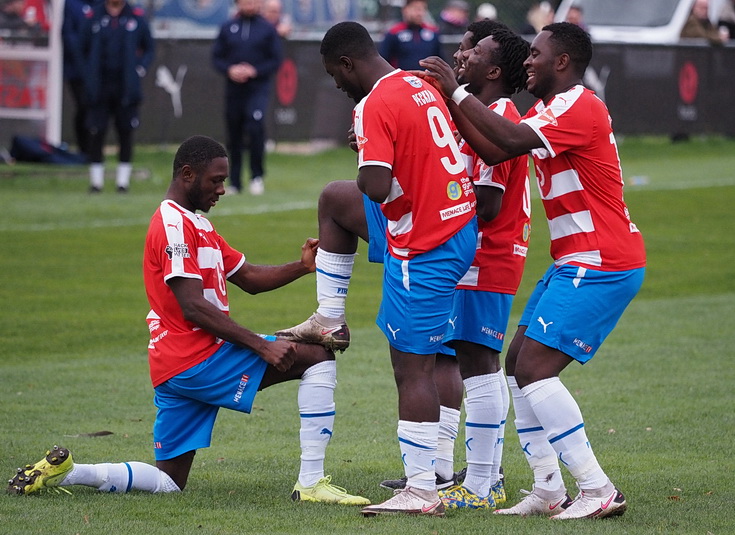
point(581, 184)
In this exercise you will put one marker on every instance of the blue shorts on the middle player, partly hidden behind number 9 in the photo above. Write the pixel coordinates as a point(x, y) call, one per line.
point(479, 317)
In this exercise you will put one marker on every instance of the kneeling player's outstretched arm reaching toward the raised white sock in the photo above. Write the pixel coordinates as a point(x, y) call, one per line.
point(254, 278)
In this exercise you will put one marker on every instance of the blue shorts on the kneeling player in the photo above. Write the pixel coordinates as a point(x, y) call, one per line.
point(188, 402)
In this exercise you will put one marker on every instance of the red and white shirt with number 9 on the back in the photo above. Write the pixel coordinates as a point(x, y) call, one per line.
point(404, 125)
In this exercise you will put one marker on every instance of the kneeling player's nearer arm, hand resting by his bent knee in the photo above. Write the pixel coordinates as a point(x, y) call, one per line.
point(203, 314)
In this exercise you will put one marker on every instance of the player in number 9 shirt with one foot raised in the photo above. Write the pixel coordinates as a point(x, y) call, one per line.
point(409, 162)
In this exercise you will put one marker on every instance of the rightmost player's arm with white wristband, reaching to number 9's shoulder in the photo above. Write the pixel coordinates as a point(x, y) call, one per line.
point(514, 139)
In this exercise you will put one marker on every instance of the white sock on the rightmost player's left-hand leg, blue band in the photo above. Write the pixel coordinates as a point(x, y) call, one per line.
point(540, 455)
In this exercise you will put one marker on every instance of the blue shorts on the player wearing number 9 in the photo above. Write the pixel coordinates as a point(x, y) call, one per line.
point(418, 293)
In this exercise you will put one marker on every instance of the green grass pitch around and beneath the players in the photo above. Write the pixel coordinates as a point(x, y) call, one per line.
point(657, 399)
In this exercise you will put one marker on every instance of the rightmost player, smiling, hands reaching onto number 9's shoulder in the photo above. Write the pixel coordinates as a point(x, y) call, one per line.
point(598, 263)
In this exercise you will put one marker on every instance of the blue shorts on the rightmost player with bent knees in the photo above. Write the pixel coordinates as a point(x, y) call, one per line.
point(573, 309)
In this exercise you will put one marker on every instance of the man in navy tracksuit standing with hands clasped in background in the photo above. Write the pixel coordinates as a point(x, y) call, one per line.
point(248, 52)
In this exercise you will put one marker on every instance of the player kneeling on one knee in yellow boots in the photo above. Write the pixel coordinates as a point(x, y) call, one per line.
point(200, 359)
